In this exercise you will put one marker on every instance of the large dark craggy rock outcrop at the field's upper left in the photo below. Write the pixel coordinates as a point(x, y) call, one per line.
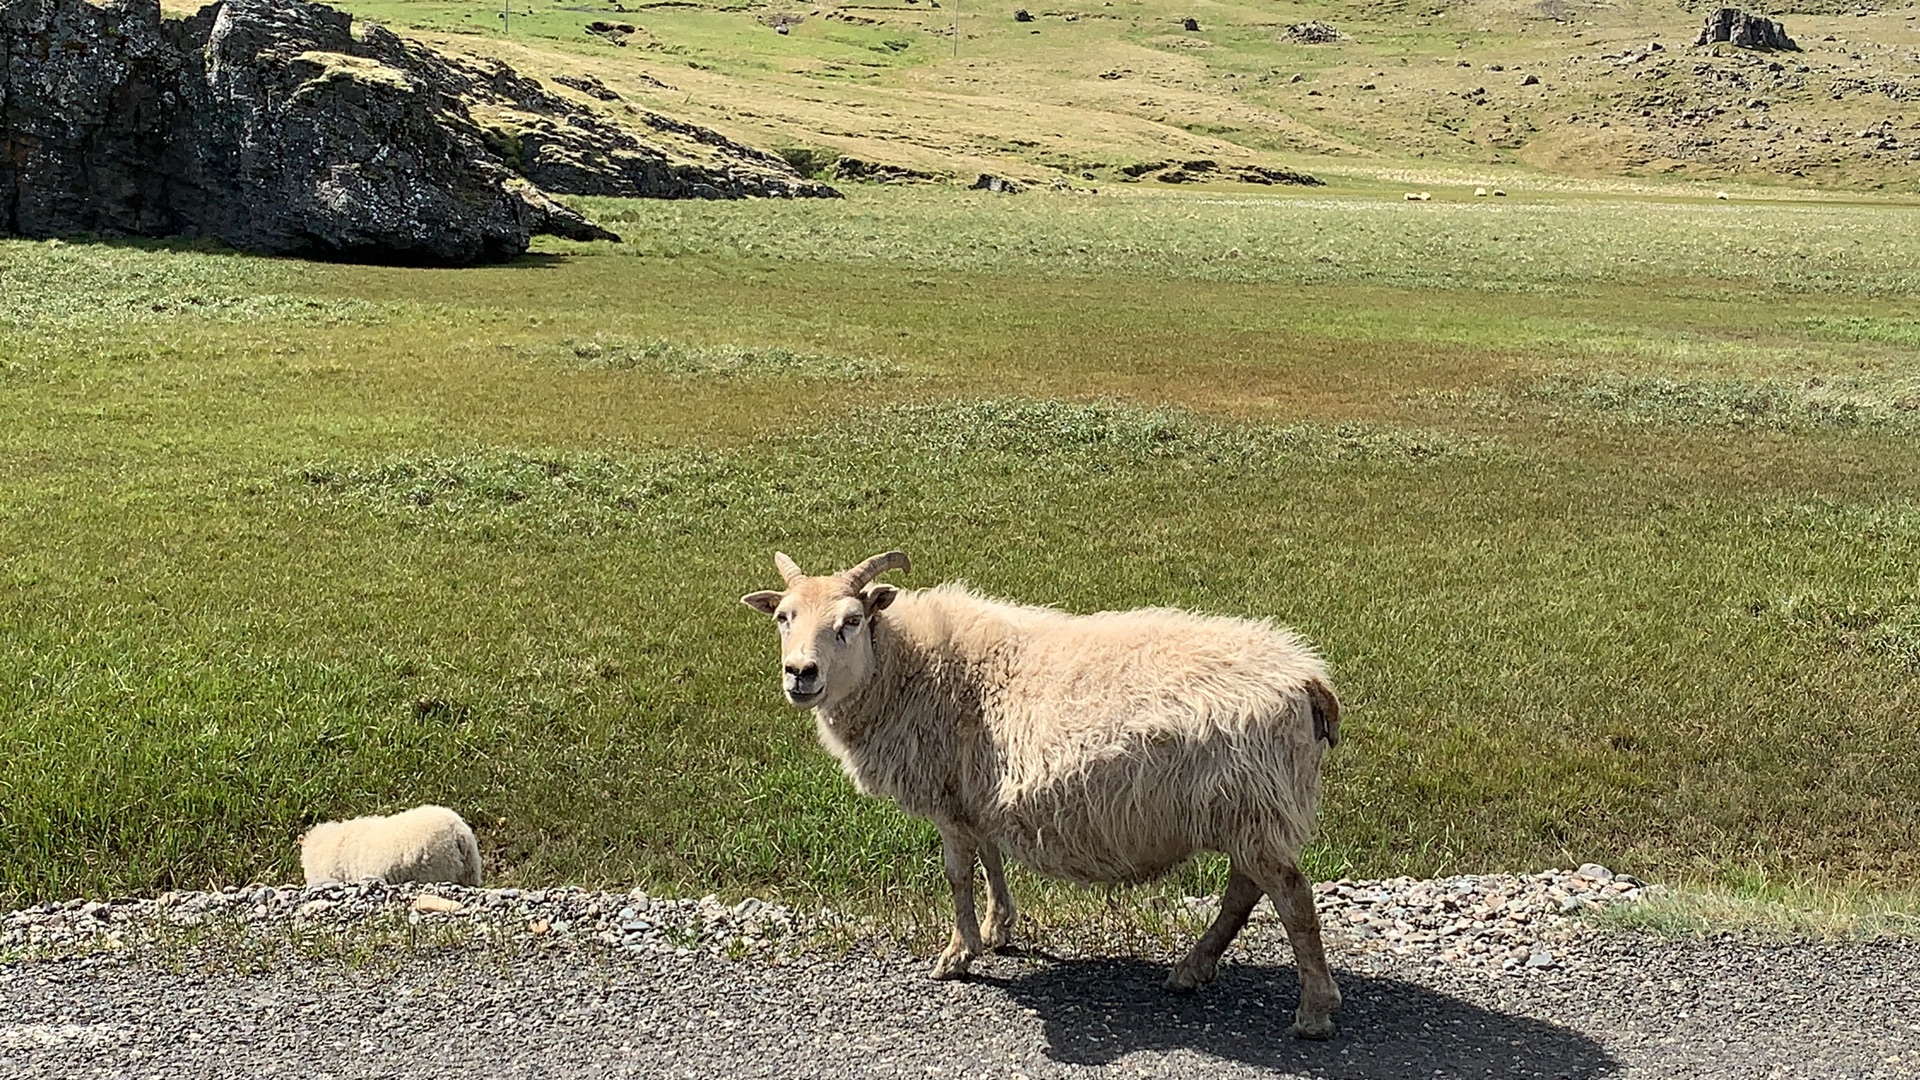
point(283, 128)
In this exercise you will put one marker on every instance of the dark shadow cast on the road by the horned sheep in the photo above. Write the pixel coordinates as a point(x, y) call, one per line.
point(1103, 1010)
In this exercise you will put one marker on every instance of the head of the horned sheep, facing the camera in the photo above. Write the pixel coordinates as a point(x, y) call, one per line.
point(827, 637)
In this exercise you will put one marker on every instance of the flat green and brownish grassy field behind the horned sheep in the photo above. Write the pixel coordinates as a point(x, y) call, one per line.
point(1606, 514)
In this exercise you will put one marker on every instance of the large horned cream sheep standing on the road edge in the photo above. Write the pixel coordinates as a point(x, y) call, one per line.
point(1095, 749)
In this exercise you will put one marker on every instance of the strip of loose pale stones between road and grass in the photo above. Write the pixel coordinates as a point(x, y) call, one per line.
point(1495, 921)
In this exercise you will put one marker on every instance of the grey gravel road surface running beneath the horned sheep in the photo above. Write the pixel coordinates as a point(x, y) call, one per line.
point(1585, 1004)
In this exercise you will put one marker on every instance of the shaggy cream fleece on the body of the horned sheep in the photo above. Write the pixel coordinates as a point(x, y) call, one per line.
point(1097, 749)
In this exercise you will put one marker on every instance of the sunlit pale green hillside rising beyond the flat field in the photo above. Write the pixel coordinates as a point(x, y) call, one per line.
point(1116, 91)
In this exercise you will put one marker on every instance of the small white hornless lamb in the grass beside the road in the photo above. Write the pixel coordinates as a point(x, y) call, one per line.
point(425, 845)
